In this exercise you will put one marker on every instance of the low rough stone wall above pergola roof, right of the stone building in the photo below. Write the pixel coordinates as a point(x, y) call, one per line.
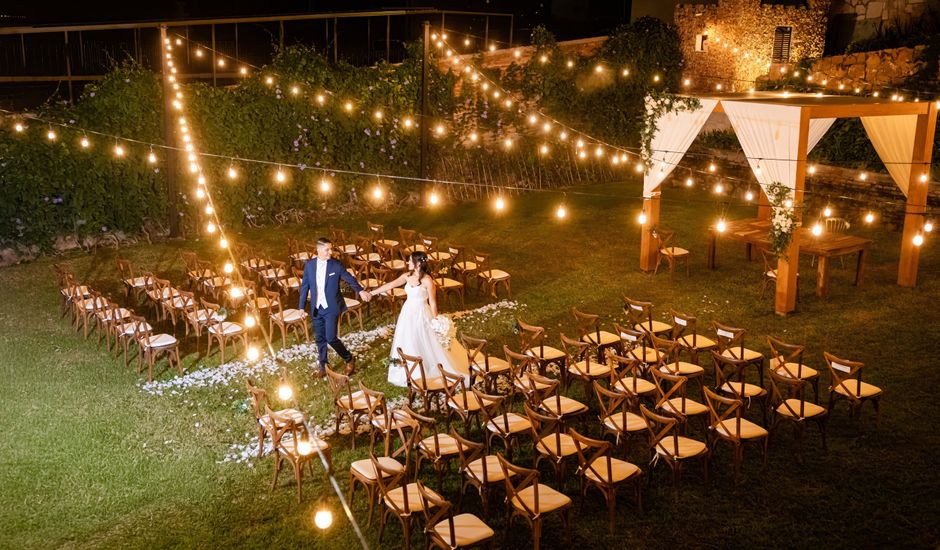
point(867, 71)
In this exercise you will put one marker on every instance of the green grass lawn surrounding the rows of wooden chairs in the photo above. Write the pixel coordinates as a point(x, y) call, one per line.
point(90, 460)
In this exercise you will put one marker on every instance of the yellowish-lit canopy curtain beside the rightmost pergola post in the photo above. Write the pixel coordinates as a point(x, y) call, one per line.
point(893, 139)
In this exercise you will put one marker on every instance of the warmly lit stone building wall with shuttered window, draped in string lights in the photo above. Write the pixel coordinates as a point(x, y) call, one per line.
point(740, 39)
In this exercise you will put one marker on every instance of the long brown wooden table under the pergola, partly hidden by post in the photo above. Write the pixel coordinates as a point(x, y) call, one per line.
point(753, 232)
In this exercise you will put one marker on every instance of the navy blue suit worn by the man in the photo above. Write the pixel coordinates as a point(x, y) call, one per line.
point(326, 319)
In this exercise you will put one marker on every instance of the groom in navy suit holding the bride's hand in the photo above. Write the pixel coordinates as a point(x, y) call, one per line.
point(321, 280)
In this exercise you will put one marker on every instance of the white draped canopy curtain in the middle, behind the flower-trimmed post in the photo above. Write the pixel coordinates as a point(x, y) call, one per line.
point(770, 136)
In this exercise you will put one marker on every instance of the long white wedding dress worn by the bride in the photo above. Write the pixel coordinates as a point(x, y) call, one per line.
point(414, 335)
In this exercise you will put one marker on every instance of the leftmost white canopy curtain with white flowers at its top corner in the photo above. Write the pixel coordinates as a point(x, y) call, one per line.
point(674, 133)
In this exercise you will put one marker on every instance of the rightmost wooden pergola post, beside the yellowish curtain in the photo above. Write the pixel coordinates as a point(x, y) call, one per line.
point(917, 195)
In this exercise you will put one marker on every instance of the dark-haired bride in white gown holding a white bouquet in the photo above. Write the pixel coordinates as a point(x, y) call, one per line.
point(413, 332)
